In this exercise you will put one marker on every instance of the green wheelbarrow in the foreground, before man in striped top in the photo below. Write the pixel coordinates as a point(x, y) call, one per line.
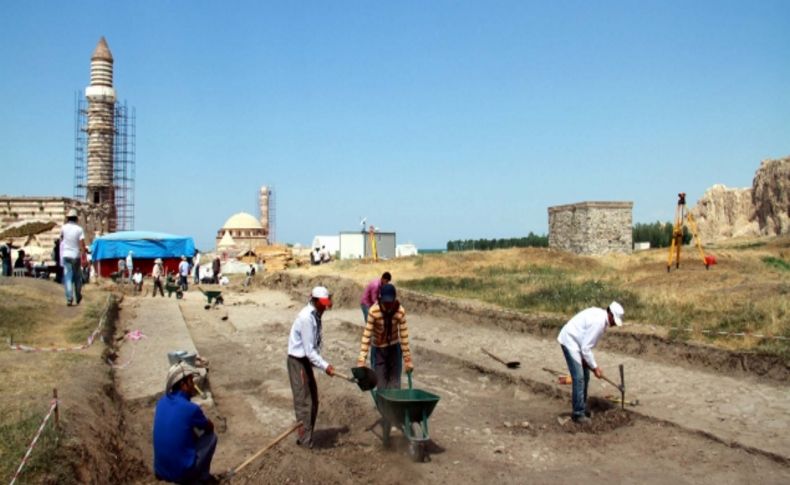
point(410, 408)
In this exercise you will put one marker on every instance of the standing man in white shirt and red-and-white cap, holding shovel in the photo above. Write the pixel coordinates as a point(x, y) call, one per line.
point(304, 353)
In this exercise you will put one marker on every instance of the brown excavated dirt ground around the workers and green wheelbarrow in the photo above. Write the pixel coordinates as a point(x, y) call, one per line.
point(486, 427)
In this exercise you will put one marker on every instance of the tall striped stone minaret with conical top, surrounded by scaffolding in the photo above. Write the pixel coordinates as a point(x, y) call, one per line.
point(101, 130)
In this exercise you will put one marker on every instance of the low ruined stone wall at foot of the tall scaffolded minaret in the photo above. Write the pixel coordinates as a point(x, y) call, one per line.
point(19, 212)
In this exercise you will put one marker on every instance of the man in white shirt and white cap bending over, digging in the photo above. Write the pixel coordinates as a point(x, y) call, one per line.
point(577, 338)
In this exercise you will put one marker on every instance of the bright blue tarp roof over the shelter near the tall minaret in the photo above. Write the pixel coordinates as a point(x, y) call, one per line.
point(144, 244)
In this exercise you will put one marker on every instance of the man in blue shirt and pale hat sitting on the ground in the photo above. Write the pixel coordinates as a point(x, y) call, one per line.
point(180, 455)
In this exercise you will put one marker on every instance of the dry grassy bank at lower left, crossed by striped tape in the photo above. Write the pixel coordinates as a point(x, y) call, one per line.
point(34, 312)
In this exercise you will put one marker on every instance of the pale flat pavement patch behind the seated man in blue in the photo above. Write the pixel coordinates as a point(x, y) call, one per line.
point(143, 363)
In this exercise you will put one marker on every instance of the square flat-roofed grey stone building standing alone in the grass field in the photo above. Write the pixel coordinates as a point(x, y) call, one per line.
point(592, 227)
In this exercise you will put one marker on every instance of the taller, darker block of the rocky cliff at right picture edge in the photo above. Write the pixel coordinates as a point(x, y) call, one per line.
point(771, 196)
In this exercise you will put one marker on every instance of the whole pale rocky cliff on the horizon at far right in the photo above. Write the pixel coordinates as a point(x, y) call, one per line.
point(763, 209)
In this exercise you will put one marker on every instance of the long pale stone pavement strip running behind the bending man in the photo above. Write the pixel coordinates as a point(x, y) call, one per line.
point(742, 411)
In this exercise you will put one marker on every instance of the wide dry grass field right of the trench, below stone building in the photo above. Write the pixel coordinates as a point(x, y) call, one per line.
point(747, 291)
